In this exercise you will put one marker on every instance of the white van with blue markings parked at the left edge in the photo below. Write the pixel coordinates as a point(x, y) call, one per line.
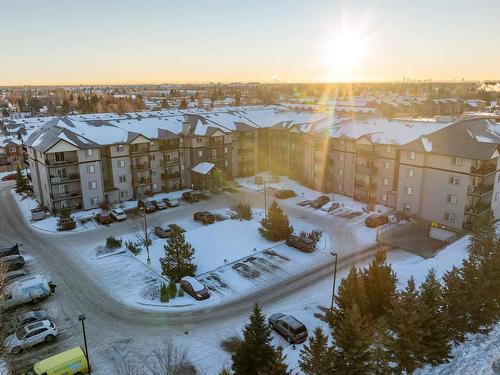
point(25, 290)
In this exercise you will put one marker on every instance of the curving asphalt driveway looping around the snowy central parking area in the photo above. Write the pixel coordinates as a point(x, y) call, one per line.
point(115, 329)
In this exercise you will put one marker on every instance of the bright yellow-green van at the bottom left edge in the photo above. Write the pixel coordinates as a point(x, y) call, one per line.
point(70, 362)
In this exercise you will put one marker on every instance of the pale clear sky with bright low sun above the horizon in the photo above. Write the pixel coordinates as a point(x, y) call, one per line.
point(70, 42)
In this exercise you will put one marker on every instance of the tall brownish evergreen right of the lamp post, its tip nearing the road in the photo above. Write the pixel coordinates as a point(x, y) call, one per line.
point(380, 285)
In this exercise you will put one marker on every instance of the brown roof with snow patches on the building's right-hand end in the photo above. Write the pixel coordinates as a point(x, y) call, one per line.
point(469, 138)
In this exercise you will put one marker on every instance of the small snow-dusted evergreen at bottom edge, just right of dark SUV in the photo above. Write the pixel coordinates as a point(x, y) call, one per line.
point(316, 358)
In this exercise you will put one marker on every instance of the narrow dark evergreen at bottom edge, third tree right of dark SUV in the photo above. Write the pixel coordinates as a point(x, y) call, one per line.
point(380, 353)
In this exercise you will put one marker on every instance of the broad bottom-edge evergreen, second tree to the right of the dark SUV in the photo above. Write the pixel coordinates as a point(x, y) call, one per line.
point(352, 338)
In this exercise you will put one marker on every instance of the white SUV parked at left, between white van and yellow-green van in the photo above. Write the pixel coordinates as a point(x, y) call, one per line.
point(30, 335)
